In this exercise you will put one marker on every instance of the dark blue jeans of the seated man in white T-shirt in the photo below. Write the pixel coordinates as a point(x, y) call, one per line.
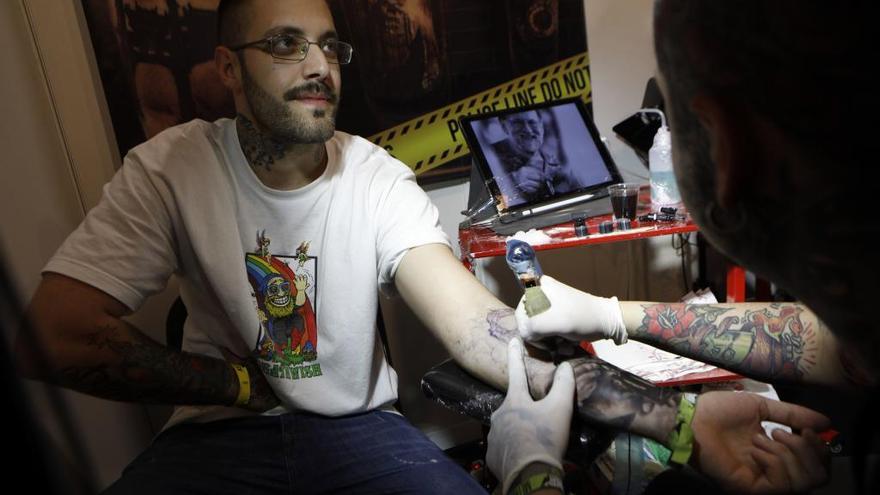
point(375, 452)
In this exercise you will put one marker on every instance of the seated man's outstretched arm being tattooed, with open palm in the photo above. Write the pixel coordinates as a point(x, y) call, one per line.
point(729, 447)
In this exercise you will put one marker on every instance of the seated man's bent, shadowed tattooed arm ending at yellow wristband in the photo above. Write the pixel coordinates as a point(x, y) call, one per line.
point(86, 346)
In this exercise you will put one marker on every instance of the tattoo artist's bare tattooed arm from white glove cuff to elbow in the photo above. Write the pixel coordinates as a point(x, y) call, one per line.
point(771, 342)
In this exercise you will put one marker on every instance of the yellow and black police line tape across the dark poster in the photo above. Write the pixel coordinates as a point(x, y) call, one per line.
point(426, 142)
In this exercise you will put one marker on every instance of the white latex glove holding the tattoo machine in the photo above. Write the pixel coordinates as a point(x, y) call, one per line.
point(573, 314)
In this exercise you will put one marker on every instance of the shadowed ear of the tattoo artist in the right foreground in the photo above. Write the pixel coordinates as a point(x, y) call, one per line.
point(731, 150)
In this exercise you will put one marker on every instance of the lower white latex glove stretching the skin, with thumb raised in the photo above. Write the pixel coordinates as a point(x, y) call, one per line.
point(526, 431)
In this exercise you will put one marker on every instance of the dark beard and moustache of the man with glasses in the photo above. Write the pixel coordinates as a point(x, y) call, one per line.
point(277, 119)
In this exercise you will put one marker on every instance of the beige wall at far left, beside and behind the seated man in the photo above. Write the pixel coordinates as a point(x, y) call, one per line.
point(56, 156)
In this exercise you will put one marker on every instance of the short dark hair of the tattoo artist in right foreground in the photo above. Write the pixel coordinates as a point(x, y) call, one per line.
point(802, 64)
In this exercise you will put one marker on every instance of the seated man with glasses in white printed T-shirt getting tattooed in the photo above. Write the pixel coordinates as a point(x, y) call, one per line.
point(281, 231)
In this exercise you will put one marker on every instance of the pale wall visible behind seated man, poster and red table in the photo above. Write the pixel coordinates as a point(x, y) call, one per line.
point(58, 151)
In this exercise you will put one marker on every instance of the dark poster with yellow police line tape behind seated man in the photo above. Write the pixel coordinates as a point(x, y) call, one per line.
point(419, 65)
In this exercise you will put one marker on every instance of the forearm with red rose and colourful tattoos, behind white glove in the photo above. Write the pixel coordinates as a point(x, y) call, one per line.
point(769, 341)
